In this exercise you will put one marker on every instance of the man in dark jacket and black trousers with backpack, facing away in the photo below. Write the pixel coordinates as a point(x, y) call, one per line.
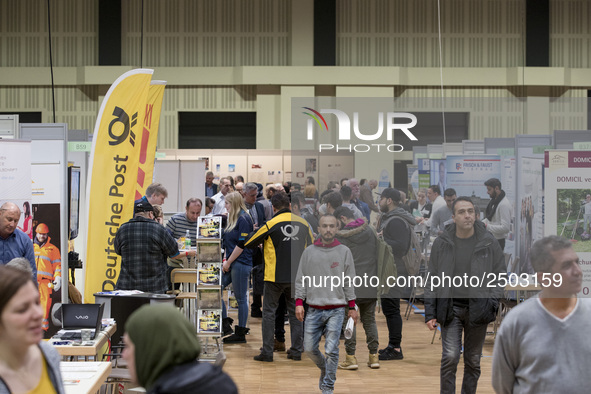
point(395, 225)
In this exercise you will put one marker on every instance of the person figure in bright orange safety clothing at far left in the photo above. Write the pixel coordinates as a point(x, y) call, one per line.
point(49, 269)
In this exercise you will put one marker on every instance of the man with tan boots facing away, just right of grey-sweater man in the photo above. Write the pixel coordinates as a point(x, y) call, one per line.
point(362, 241)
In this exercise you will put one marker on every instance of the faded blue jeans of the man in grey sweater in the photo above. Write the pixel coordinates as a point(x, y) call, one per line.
point(329, 322)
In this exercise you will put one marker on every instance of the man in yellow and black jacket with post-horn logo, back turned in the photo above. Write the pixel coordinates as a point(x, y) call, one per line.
point(284, 239)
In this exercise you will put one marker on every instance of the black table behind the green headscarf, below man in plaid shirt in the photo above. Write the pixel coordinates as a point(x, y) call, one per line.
point(121, 306)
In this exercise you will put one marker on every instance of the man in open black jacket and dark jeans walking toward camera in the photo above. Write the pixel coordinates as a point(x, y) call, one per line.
point(465, 250)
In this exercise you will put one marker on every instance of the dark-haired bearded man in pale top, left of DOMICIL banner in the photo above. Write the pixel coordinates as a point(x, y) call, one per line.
point(498, 211)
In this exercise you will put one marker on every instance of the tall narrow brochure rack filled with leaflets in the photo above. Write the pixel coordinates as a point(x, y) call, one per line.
point(209, 286)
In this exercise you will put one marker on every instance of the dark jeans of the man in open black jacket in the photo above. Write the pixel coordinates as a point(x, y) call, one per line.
point(451, 339)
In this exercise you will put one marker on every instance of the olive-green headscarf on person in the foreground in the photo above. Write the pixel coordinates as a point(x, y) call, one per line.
point(163, 338)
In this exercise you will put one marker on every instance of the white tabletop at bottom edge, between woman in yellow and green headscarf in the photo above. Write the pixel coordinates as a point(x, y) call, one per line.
point(84, 377)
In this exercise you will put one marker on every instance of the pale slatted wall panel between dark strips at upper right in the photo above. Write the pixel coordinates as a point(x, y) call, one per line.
point(409, 29)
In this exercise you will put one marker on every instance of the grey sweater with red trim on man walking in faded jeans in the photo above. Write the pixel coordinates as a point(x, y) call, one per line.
point(320, 269)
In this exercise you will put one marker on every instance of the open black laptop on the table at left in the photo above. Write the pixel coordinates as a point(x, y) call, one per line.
point(76, 317)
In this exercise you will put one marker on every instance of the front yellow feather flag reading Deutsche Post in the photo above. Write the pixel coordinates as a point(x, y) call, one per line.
point(113, 173)
